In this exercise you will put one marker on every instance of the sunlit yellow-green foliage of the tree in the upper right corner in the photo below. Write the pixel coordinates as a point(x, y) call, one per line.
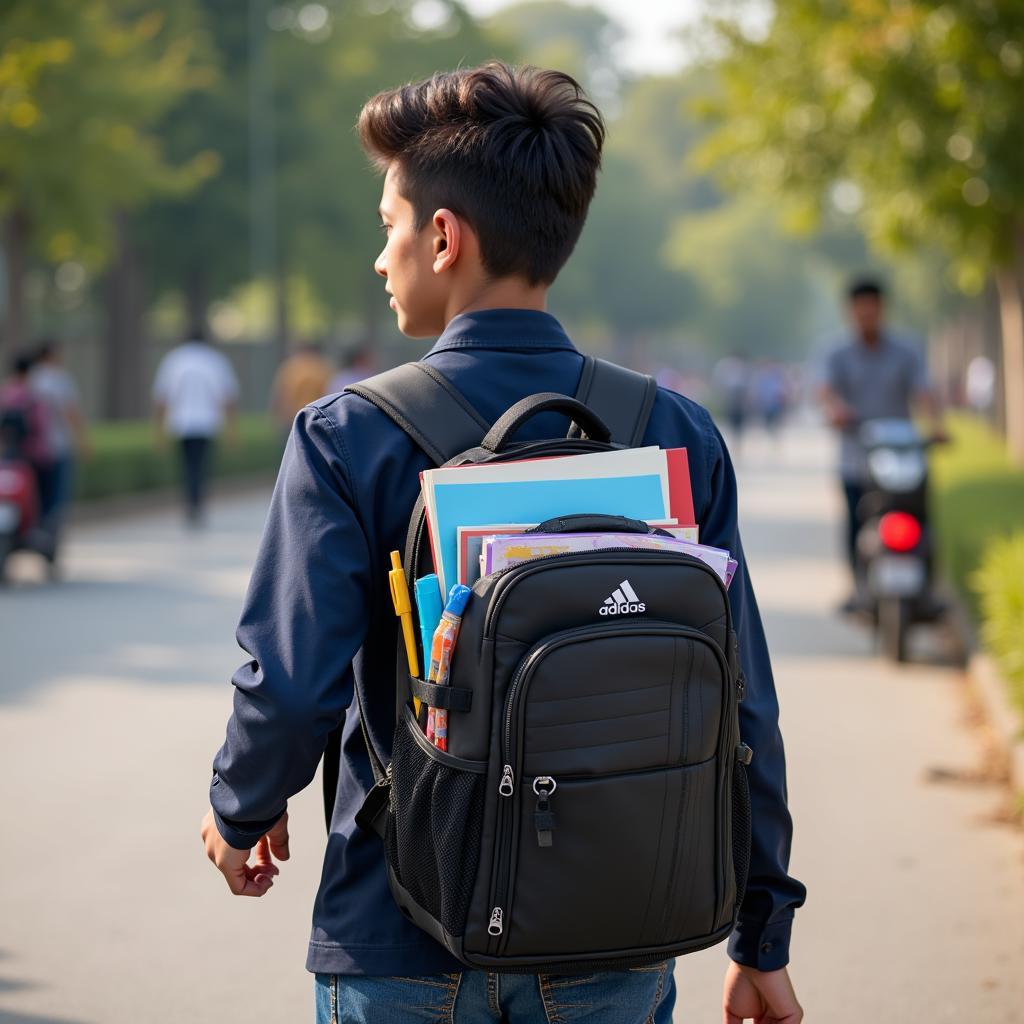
point(913, 103)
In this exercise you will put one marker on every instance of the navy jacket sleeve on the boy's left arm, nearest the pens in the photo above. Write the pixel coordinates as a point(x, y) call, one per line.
point(305, 618)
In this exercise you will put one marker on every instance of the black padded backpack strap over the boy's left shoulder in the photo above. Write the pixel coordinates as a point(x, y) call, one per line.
point(428, 407)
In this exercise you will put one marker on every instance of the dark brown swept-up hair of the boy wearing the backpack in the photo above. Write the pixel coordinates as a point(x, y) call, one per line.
point(516, 151)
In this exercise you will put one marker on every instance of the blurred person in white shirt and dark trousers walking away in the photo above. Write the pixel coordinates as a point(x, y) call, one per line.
point(195, 395)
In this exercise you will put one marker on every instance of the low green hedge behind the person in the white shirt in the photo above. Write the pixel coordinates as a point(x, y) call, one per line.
point(125, 458)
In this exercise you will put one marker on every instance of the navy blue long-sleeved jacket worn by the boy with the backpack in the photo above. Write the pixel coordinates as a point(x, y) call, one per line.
point(318, 620)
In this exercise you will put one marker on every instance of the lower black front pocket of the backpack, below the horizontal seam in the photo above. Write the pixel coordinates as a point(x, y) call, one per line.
point(626, 861)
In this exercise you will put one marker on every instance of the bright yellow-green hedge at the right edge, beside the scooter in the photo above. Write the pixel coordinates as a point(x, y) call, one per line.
point(978, 504)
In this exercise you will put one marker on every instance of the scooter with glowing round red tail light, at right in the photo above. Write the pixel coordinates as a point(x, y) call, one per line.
point(894, 544)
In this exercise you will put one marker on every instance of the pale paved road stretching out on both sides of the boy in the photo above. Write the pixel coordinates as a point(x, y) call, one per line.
point(113, 698)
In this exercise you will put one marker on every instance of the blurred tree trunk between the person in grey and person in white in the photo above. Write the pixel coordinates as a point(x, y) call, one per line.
point(126, 389)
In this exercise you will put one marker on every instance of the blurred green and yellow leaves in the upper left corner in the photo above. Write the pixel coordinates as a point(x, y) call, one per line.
point(82, 83)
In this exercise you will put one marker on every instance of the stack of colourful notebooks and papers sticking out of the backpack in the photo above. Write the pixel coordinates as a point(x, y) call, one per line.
point(478, 515)
